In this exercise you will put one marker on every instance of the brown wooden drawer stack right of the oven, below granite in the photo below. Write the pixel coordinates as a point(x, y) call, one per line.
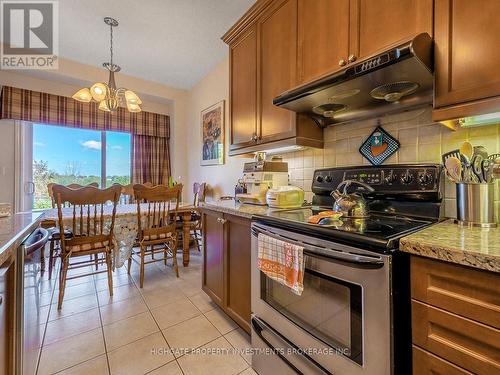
point(454, 318)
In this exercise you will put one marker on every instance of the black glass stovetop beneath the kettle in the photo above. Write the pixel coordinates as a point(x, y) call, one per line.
point(377, 230)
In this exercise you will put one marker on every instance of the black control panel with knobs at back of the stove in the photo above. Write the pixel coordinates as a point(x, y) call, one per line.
point(412, 178)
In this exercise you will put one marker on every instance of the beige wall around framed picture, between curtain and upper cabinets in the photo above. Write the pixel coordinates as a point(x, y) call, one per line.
point(221, 178)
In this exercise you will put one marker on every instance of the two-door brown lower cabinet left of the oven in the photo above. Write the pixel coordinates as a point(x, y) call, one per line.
point(226, 265)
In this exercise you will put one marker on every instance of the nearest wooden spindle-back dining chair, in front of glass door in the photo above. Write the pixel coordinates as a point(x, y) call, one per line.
point(92, 226)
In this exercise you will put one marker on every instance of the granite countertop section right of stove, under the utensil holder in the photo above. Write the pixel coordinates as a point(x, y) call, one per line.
point(447, 241)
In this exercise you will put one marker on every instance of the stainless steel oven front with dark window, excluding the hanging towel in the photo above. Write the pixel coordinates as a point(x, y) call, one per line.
point(342, 322)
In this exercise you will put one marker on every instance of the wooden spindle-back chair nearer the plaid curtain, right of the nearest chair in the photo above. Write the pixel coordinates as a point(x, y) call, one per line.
point(157, 209)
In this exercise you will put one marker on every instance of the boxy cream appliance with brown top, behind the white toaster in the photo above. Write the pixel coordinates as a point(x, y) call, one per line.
point(259, 177)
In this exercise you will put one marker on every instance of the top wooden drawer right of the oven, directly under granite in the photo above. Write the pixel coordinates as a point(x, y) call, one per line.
point(464, 291)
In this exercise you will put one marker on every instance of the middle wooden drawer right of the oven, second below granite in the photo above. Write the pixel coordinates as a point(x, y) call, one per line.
point(466, 343)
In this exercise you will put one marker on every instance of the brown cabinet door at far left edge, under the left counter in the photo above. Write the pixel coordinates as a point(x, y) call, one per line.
point(7, 316)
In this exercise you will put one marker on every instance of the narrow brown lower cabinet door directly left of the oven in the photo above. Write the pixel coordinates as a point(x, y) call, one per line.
point(238, 248)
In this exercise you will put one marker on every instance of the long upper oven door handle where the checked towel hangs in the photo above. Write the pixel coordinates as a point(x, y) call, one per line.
point(329, 254)
